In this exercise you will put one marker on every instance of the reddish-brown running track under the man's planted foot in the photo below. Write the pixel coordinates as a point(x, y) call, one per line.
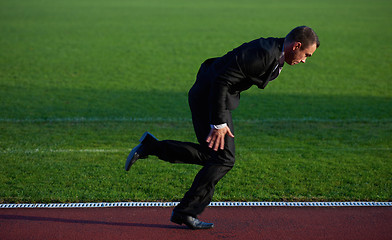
point(248, 223)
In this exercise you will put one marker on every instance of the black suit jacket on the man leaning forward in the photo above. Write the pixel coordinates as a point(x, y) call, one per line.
point(221, 80)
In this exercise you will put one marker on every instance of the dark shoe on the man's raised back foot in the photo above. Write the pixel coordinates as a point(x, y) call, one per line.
point(140, 151)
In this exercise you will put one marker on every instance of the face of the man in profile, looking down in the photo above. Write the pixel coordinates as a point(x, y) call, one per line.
point(293, 53)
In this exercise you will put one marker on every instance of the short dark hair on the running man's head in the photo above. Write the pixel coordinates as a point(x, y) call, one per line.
point(303, 34)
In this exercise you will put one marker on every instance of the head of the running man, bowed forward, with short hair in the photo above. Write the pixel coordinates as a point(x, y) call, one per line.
point(300, 44)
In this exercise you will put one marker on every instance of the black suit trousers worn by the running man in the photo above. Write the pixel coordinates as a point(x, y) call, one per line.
point(215, 163)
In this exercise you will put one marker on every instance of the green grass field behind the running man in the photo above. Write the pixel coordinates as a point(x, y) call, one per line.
point(80, 81)
